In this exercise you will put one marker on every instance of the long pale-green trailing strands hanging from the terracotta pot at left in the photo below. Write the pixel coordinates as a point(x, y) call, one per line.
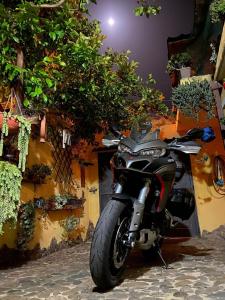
point(23, 136)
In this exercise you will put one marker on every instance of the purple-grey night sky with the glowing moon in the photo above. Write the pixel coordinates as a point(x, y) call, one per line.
point(146, 38)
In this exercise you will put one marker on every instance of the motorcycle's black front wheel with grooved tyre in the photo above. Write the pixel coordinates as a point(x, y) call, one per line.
point(108, 251)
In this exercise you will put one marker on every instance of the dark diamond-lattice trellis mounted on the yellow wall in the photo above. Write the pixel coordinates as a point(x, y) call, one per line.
point(62, 161)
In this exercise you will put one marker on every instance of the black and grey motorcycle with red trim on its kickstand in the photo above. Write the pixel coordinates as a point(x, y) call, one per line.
point(145, 203)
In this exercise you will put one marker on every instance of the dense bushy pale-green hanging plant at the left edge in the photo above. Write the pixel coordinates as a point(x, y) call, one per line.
point(10, 185)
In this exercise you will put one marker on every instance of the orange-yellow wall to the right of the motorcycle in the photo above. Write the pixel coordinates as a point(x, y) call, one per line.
point(210, 204)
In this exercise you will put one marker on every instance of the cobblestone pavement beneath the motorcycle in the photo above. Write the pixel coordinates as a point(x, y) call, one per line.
point(197, 271)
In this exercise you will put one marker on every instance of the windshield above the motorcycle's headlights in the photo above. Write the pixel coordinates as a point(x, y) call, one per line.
point(142, 132)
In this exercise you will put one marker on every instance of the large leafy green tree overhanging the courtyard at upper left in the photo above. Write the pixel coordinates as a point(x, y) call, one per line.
point(49, 53)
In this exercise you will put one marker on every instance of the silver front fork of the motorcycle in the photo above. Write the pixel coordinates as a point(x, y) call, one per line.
point(138, 212)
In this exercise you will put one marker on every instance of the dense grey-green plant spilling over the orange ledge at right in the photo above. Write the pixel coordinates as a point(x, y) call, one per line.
point(192, 97)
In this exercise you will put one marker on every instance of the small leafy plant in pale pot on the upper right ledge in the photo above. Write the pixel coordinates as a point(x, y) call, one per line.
point(180, 61)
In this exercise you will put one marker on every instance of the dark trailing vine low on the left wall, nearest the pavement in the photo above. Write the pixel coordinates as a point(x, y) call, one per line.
point(26, 225)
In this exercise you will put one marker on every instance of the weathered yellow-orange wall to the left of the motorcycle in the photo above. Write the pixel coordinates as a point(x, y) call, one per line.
point(48, 224)
